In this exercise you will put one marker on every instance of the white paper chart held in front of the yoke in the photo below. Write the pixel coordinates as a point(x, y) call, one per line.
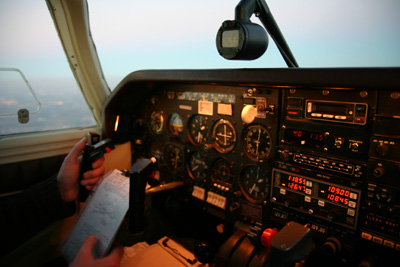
point(102, 215)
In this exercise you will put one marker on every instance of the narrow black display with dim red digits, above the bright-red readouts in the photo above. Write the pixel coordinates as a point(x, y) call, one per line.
point(305, 138)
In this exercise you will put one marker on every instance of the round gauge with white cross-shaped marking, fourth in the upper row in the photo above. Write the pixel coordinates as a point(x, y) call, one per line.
point(223, 136)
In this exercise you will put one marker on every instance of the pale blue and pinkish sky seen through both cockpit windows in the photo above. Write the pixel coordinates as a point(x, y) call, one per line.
point(133, 35)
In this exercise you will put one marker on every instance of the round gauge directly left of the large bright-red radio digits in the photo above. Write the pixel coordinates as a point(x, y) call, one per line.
point(254, 183)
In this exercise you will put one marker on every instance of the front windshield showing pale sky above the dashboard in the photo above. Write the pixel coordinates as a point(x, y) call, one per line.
point(180, 34)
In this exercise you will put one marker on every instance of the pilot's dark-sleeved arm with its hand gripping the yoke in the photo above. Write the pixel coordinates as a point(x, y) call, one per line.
point(23, 216)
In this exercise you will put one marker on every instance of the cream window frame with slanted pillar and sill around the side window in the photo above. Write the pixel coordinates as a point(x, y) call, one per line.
point(71, 20)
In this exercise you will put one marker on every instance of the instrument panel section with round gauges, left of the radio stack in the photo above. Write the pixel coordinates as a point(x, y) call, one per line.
point(197, 133)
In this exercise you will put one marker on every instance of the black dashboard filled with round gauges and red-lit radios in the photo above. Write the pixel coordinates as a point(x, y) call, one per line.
point(258, 148)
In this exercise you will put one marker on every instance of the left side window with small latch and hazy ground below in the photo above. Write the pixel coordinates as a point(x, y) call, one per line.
point(38, 91)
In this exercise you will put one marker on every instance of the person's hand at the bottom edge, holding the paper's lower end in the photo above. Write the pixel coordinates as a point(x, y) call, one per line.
point(85, 258)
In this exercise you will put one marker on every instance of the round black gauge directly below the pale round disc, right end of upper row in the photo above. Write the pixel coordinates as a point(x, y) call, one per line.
point(257, 142)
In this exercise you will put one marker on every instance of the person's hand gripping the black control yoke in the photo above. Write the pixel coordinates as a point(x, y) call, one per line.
point(68, 175)
